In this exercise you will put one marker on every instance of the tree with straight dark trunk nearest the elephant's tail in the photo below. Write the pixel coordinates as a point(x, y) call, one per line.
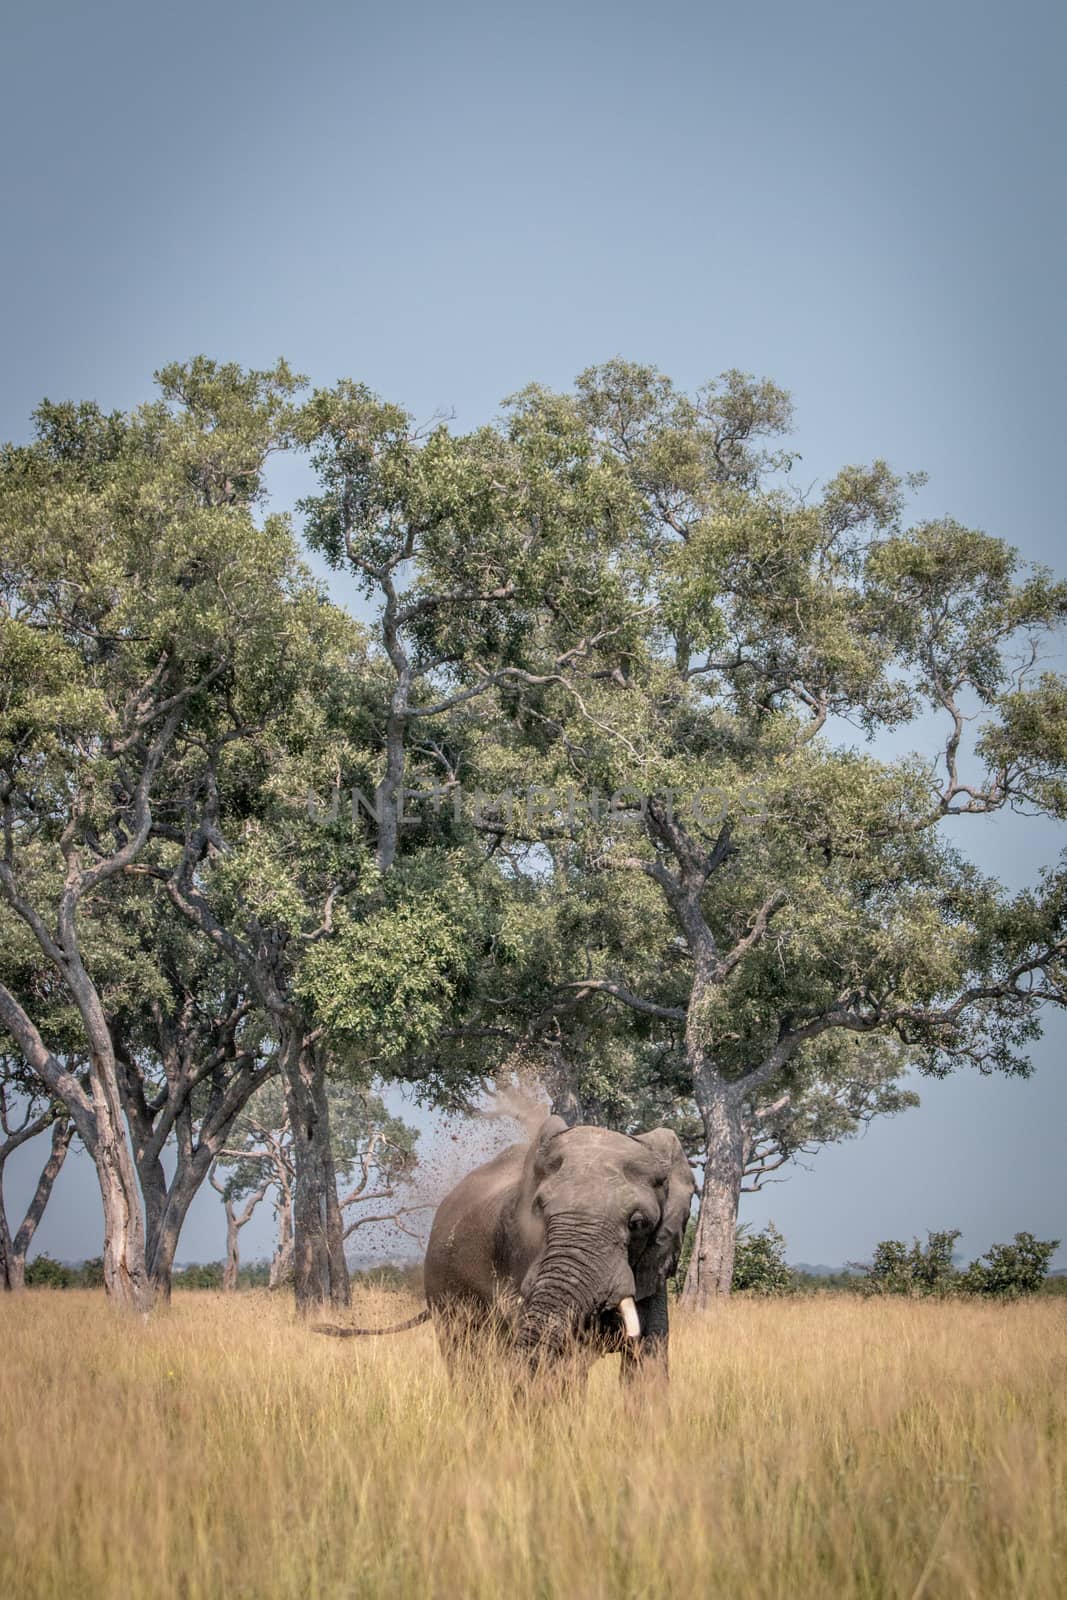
point(265, 884)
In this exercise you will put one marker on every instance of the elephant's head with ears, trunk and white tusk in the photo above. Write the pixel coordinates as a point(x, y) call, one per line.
point(604, 1215)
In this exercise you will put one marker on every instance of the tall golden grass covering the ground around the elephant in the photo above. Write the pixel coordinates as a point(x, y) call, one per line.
point(821, 1447)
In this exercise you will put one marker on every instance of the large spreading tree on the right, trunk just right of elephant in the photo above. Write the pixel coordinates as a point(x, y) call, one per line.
point(769, 889)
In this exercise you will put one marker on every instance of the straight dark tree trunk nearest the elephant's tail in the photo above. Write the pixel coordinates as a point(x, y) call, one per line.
point(321, 1273)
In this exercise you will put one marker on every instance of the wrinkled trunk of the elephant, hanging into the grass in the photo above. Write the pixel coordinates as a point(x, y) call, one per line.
point(583, 1271)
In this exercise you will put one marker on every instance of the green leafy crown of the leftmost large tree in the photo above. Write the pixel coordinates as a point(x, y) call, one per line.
point(148, 614)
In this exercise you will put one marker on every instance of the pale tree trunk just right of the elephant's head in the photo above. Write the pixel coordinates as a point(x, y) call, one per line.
point(713, 1262)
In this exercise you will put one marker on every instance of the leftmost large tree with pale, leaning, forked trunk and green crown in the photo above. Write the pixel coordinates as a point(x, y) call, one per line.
point(138, 599)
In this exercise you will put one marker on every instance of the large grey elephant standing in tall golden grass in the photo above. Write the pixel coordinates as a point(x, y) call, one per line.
point(541, 1244)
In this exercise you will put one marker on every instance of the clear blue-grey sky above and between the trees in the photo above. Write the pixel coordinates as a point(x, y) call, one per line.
point(863, 202)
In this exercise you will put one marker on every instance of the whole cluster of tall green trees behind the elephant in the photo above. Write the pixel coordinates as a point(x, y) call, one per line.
point(596, 788)
